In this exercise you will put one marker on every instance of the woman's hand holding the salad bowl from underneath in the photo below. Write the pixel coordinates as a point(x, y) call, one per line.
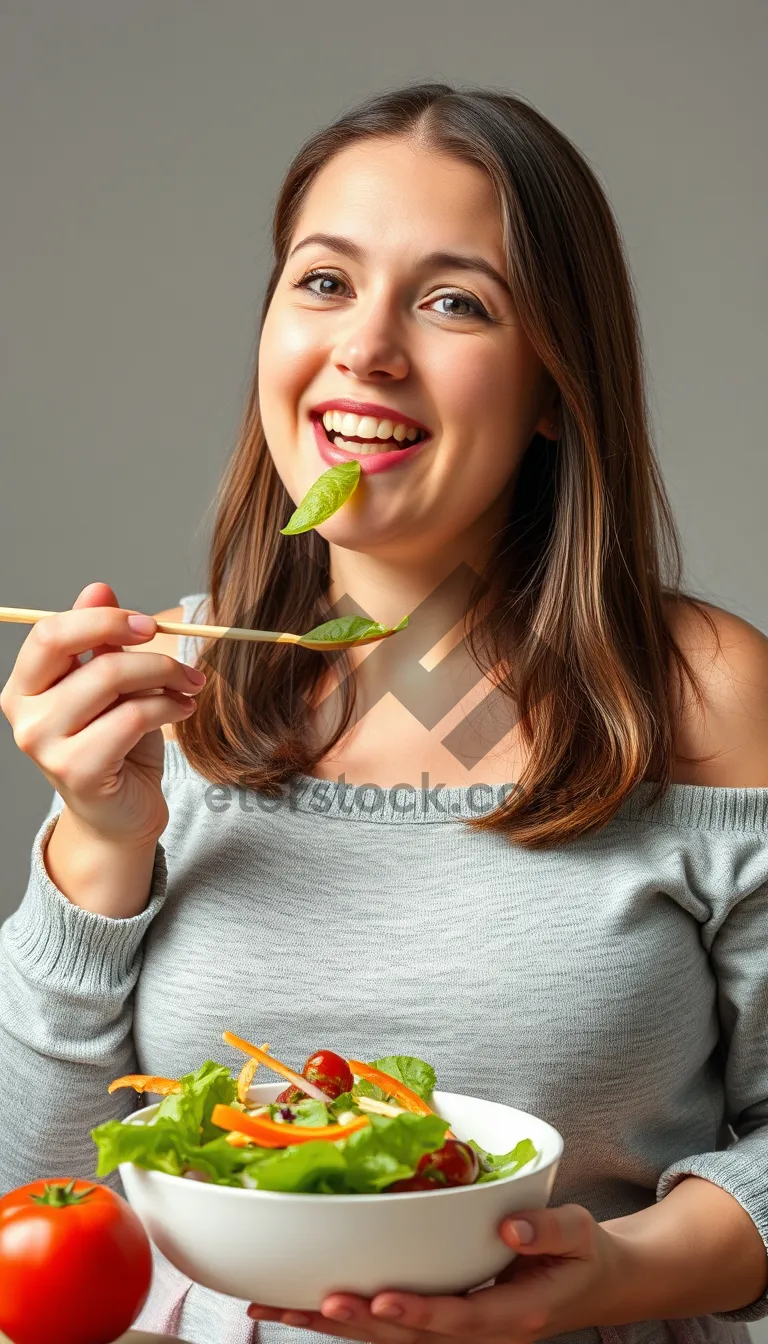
point(568, 1277)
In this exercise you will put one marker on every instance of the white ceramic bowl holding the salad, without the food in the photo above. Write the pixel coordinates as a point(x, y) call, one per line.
point(293, 1251)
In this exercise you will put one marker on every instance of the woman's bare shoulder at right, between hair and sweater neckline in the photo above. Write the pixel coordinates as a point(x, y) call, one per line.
point(731, 665)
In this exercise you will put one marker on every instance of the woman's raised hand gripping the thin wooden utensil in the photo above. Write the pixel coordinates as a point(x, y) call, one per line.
point(95, 729)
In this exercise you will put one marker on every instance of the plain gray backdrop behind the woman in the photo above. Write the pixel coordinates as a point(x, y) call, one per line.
point(142, 150)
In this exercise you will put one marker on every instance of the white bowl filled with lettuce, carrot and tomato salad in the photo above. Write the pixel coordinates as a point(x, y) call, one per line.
point(274, 1193)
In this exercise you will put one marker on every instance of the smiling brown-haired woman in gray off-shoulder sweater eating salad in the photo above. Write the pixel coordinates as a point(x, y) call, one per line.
point(588, 946)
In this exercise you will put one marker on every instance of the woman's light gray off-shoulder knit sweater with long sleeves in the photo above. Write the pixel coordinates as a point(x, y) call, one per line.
point(617, 987)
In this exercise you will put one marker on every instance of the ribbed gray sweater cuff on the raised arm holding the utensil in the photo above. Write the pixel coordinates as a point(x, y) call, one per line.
point(72, 948)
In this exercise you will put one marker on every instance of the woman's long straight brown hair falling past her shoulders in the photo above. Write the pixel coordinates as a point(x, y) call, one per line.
point(590, 554)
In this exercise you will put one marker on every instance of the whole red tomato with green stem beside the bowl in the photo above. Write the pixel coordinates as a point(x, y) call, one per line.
point(76, 1264)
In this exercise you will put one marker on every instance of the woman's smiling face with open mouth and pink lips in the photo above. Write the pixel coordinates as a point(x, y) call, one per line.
point(419, 337)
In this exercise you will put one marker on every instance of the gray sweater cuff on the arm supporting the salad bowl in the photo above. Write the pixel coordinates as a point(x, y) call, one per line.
point(740, 1170)
